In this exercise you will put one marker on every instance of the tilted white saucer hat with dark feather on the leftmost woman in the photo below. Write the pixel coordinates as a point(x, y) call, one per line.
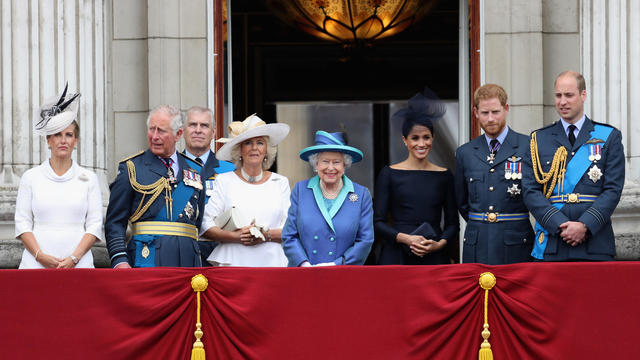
point(56, 113)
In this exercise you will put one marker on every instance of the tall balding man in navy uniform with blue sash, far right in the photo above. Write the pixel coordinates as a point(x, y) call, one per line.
point(575, 180)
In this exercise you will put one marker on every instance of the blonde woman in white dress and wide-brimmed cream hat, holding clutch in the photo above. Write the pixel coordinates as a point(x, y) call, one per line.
point(259, 198)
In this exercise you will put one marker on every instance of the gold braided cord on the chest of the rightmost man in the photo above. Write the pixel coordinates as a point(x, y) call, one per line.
point(556, 172)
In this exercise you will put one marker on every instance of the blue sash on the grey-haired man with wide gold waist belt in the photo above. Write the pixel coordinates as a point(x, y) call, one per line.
point(180, 195)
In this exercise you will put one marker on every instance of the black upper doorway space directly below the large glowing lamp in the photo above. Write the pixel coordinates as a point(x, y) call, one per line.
point(273, 61)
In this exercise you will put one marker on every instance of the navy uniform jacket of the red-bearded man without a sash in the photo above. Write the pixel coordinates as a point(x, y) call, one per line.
point(481, 187)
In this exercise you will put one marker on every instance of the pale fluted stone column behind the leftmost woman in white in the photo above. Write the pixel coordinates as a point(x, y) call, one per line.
point(45, 43)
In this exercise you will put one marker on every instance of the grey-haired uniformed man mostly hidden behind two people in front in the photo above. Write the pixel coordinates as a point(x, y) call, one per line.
point(198, 134)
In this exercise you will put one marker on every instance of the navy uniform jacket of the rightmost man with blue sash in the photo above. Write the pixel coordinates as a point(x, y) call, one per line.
point(600, 244)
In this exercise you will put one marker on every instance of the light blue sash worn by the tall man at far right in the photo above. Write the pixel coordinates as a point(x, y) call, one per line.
point(575, 170)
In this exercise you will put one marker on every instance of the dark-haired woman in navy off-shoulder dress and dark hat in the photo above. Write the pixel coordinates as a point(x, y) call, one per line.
point(412, 196)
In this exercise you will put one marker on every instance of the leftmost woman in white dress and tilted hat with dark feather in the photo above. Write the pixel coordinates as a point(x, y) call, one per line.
point(59, 207)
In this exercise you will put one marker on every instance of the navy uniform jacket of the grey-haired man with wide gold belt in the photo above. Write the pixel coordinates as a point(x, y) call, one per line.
point(124, 200)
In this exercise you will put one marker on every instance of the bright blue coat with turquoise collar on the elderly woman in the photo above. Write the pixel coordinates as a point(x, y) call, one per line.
point(343, 235)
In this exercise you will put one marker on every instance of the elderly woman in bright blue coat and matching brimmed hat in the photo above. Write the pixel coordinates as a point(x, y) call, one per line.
point(330, 221)
